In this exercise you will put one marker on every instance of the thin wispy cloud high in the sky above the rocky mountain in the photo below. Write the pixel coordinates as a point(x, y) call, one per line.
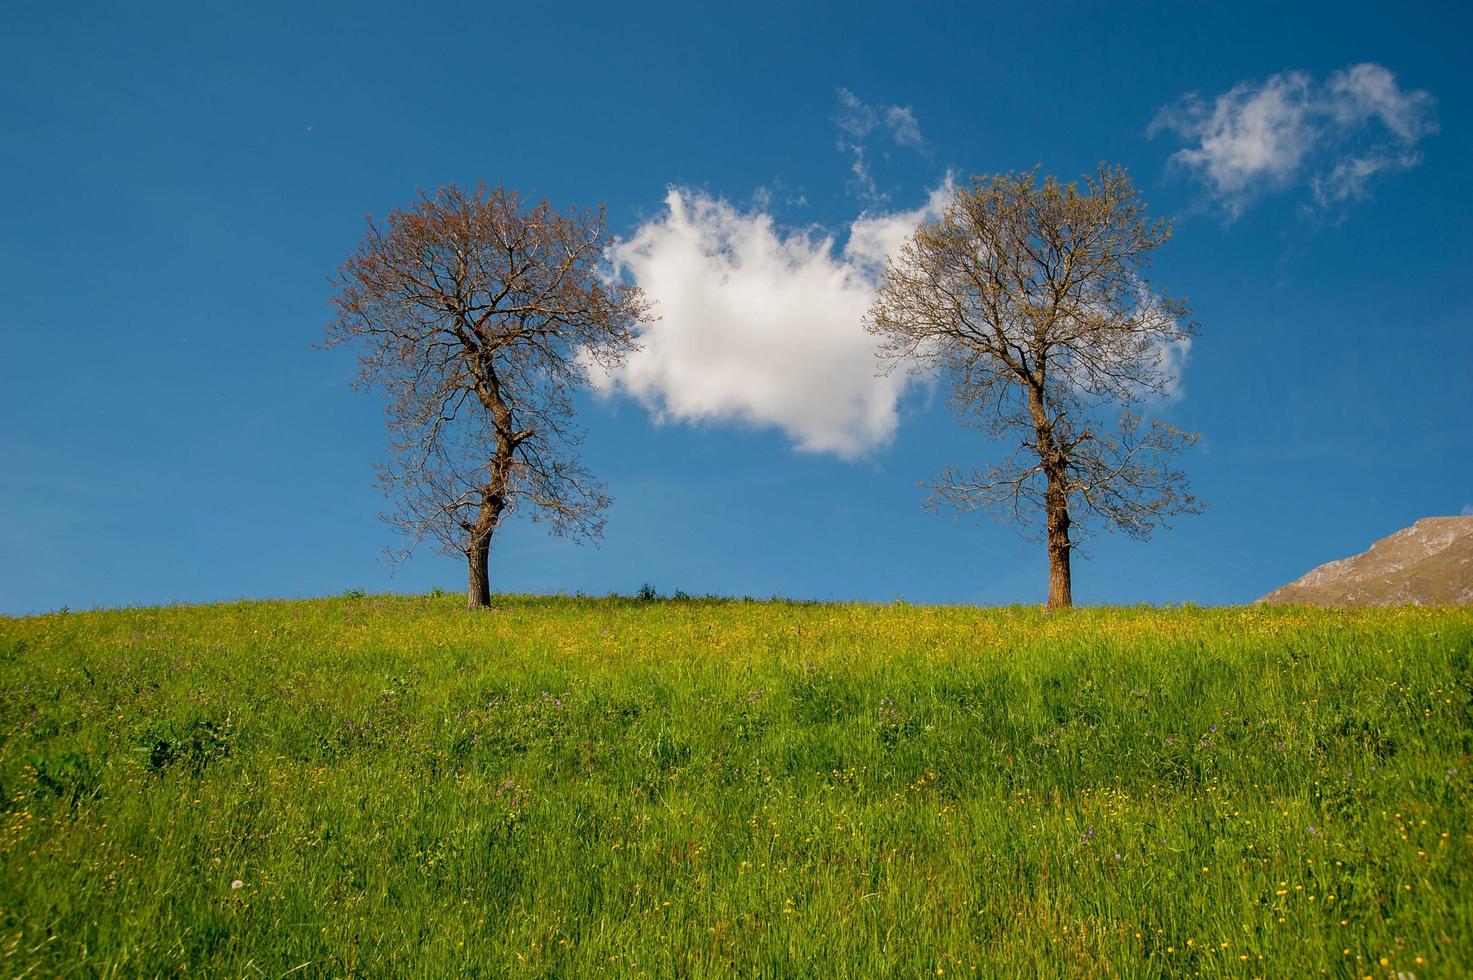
point(1293, 130)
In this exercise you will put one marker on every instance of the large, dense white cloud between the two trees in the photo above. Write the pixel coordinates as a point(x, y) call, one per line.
point(761, 325)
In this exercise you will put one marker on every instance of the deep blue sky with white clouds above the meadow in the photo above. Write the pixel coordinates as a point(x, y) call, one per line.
point(177, 183)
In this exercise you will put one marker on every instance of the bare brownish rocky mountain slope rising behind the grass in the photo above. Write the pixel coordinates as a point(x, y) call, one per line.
point(1430, 564)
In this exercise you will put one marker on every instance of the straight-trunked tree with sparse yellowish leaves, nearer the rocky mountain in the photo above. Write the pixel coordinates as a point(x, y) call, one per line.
point(1032, 300)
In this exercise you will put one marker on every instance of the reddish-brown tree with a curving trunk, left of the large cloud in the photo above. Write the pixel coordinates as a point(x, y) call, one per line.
point(479, 315)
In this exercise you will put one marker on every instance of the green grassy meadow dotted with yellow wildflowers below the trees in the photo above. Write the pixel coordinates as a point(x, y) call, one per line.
point(571, 788)
